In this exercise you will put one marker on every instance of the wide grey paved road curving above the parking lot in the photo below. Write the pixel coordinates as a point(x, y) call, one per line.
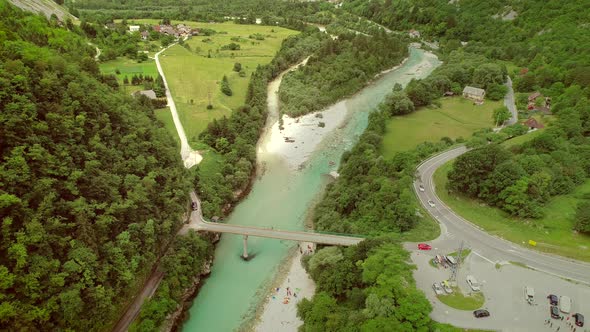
point(490, 248)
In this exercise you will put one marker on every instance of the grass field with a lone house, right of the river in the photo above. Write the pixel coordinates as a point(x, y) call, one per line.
point(457, 117)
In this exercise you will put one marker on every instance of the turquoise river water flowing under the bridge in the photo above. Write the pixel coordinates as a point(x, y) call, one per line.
point(281, 198)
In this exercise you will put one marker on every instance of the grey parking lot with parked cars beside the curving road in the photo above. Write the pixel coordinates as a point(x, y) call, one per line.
point(504, 295)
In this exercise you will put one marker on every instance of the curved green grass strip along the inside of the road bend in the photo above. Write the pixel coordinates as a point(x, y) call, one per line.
point(553, 233)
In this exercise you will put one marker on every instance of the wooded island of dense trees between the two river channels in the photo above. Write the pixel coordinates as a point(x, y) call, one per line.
point(339, 68)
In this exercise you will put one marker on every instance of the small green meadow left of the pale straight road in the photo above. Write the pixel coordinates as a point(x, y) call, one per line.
point(128, 67)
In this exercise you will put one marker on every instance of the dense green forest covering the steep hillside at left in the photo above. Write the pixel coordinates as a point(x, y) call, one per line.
point(91, 185)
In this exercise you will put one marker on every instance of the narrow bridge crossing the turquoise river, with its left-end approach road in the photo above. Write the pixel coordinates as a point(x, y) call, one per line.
point(198, 223)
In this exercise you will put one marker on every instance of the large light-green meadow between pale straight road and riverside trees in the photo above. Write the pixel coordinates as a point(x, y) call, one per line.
point(192, 75)
